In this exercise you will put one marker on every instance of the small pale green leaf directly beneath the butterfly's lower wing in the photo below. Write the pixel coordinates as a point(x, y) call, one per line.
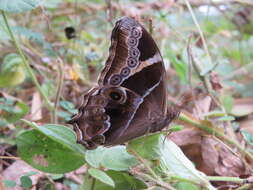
point(117, 158)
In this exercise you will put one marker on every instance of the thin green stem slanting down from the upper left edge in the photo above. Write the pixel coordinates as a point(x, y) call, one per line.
point(26, 64)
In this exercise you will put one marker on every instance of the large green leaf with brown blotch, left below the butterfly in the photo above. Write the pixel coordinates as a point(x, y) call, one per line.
point(50, 148)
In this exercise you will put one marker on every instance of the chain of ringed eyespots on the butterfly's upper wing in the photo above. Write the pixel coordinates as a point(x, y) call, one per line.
point(133, 56)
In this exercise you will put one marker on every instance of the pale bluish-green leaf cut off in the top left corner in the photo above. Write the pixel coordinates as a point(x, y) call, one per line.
point(16, 6)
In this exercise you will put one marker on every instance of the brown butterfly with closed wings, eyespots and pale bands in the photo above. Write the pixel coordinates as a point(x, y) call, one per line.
point(130, 99)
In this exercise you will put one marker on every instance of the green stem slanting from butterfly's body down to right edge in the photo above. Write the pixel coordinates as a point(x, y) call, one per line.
point(211, 130)
